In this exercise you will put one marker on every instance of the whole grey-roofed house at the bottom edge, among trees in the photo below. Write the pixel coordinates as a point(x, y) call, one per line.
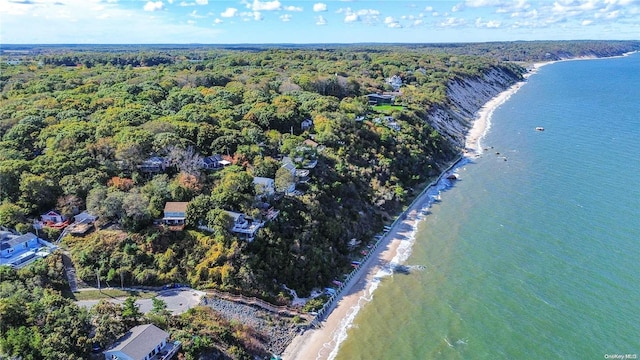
point(143, 342)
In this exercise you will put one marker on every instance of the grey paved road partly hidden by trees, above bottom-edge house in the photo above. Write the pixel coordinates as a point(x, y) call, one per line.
point(178, 300)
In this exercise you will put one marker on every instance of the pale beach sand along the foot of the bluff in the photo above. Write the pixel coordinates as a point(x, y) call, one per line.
point(323, 343)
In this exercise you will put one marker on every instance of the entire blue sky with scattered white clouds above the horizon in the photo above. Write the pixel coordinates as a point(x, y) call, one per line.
point(300, 22)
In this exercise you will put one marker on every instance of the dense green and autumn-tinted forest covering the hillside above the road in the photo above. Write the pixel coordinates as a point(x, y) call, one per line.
point(75, 125)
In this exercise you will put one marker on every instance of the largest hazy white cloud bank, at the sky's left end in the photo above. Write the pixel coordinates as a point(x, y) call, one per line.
point(100, 21)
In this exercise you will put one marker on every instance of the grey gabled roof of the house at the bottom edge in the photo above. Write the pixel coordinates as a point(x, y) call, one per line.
point(140, 341)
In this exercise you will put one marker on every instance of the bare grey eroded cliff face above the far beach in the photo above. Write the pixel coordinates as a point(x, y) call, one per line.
point(465, 97)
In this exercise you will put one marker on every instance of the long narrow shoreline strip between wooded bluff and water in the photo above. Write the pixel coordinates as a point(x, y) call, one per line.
point(324, 342)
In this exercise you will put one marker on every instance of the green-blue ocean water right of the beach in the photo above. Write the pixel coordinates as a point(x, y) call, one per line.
point(535, 252)
